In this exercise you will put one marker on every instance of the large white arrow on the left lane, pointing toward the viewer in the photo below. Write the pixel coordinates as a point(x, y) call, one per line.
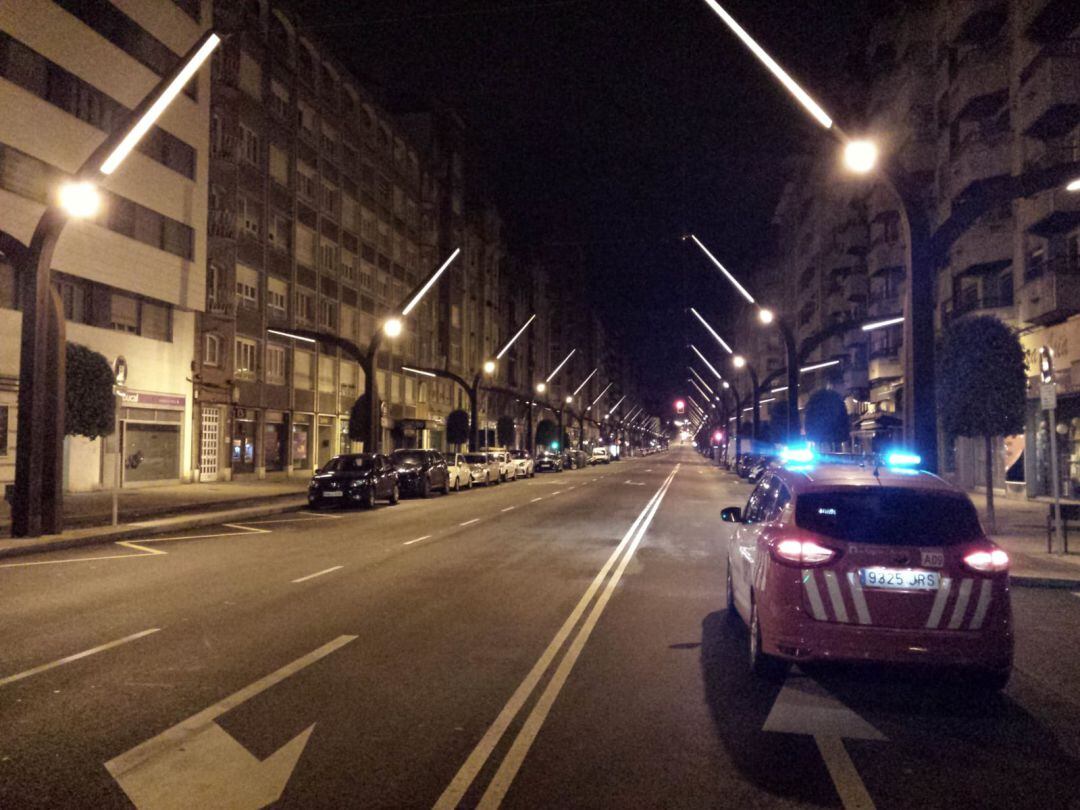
point(197, 764)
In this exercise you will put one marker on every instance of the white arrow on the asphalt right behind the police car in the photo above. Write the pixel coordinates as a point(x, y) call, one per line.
point(806, 708)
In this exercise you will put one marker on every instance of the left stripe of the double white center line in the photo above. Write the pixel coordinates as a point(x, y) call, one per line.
point(467, 775)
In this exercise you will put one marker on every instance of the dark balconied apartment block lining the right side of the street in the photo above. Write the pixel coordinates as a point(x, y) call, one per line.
point(969, 98)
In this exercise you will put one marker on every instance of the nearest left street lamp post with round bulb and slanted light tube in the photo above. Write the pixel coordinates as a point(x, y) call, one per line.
point(38, 502)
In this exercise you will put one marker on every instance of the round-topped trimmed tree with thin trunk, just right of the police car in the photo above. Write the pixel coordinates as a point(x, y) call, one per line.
point(981, 386)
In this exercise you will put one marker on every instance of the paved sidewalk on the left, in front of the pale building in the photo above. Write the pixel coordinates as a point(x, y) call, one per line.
point(88, 517)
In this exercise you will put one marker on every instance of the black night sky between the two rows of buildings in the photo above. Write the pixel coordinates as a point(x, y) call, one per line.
point(618, 125)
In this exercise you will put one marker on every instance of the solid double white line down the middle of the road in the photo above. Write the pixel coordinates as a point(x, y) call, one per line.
point(501, 784)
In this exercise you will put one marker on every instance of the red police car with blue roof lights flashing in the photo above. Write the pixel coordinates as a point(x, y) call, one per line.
point(868, 562)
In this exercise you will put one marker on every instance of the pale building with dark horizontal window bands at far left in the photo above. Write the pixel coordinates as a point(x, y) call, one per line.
point(132, 278)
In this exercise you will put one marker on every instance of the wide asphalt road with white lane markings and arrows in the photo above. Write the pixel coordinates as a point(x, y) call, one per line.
point(559, 642)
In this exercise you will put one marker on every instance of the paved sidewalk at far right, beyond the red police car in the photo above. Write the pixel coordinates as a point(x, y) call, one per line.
point(1022, 533)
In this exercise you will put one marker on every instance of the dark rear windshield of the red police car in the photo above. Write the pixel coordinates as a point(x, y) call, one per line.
point(888, 517)
